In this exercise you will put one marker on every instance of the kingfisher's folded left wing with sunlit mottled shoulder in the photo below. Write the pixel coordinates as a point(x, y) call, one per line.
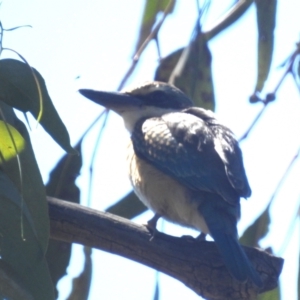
point(183, 146)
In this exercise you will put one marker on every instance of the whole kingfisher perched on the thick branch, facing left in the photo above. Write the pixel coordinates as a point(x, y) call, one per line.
point(184, 165)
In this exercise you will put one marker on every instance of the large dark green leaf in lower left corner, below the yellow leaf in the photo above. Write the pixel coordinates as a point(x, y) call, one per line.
point(20, 248)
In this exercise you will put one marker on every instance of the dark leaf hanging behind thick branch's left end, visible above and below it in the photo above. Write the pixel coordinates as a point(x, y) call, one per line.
point(62, 185)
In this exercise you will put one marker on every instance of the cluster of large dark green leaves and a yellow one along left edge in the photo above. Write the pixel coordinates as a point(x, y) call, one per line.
point(24, 220)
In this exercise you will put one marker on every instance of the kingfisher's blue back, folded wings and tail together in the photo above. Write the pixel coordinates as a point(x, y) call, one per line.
point(199, 153)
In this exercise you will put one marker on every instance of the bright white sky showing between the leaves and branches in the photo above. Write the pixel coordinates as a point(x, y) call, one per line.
point(94, 40)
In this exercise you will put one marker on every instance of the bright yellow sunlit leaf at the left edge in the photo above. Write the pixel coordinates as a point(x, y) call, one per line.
point(11, 142)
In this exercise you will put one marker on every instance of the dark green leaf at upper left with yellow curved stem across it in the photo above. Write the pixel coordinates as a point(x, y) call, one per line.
point(19, 89)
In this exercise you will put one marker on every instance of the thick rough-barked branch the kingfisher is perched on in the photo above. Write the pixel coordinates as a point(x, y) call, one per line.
point(197, 264)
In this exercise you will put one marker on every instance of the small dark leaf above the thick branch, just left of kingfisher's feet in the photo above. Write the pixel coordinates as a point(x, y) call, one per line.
point(129, 207)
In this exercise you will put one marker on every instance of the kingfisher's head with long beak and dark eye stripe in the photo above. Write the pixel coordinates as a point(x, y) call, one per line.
point(152, 99)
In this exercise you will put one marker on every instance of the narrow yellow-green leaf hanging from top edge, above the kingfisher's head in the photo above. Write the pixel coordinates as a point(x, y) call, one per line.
point(151, 10)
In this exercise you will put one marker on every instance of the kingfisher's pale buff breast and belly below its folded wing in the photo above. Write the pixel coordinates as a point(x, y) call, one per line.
point(163, 194)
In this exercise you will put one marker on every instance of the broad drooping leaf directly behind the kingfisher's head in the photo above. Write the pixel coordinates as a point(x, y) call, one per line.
point(190, 70)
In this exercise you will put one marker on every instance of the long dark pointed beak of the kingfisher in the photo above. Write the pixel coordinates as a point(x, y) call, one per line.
point(111, 100)
